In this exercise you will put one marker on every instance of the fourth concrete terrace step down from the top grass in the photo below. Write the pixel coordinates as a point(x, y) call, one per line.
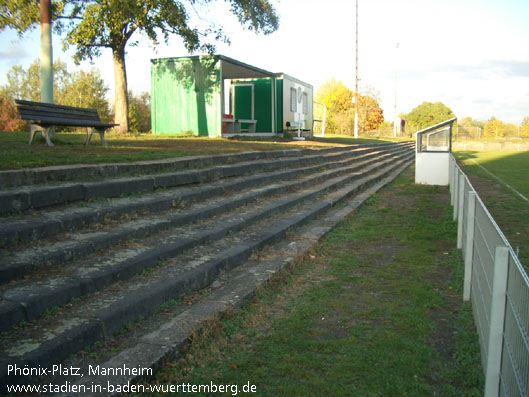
point(19, 262)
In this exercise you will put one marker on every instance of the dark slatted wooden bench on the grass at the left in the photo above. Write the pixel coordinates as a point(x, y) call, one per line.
point(44, 116)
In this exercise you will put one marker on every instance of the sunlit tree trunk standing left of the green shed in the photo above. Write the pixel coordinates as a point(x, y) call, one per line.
point(121, 102)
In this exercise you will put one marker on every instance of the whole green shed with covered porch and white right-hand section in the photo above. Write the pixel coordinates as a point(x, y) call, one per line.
point(216, 96)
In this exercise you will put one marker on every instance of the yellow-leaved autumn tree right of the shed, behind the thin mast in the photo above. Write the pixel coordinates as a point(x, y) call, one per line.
point(340, 109)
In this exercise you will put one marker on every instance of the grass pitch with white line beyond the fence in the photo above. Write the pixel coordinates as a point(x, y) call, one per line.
point(490, 173)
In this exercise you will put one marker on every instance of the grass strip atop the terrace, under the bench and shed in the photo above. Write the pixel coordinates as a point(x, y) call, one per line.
point(70, 149)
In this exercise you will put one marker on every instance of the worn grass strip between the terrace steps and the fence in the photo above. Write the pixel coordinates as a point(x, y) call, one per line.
point(375, 310)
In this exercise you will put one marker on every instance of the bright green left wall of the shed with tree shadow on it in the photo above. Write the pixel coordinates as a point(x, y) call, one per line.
point(185, 95)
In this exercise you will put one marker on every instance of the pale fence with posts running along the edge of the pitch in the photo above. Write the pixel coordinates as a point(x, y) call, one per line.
point(498, 287)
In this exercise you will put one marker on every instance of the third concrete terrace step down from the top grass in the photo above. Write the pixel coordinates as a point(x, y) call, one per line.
point(45, 223)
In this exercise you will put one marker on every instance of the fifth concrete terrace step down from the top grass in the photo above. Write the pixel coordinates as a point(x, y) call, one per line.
point(31, 298)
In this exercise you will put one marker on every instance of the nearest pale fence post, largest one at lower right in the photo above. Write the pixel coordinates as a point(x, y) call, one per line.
point(497, 320)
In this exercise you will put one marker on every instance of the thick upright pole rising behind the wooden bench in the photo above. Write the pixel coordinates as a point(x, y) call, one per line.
point(46, 56)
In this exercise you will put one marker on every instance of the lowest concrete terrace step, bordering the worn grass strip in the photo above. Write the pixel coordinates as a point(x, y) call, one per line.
point(164, 335)
